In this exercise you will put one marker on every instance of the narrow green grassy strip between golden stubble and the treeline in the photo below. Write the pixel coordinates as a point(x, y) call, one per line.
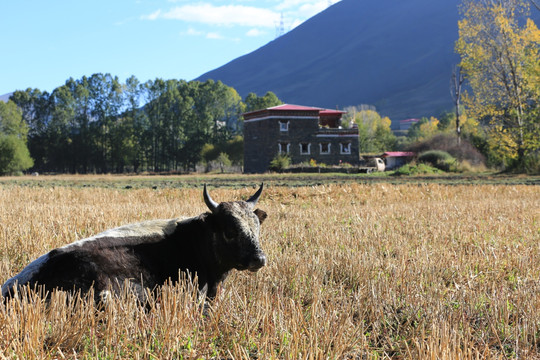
point(241, 181)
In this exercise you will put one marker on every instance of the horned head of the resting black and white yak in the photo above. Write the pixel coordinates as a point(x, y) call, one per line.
point(236, 232)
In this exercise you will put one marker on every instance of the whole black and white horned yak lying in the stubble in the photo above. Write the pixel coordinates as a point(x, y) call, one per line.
point(151, 253)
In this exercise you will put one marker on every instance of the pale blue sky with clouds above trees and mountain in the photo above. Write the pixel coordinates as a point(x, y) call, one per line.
point(46, 42)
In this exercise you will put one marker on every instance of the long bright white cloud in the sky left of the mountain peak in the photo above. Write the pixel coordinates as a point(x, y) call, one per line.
point(226, 15)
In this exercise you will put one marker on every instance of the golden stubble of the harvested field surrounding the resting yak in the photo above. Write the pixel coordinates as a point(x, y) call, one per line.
point(355, 271)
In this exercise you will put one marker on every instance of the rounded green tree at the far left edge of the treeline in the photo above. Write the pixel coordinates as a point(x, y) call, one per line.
point(14, 154)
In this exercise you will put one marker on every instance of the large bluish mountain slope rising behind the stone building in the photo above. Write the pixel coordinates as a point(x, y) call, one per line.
point(395, 54)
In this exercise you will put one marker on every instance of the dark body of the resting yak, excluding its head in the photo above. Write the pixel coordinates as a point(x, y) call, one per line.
point(146, 261)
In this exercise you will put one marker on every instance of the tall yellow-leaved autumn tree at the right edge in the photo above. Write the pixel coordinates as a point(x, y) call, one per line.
point(500, 48)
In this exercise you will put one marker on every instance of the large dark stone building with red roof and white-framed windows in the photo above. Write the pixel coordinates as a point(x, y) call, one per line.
point(302, 132)
